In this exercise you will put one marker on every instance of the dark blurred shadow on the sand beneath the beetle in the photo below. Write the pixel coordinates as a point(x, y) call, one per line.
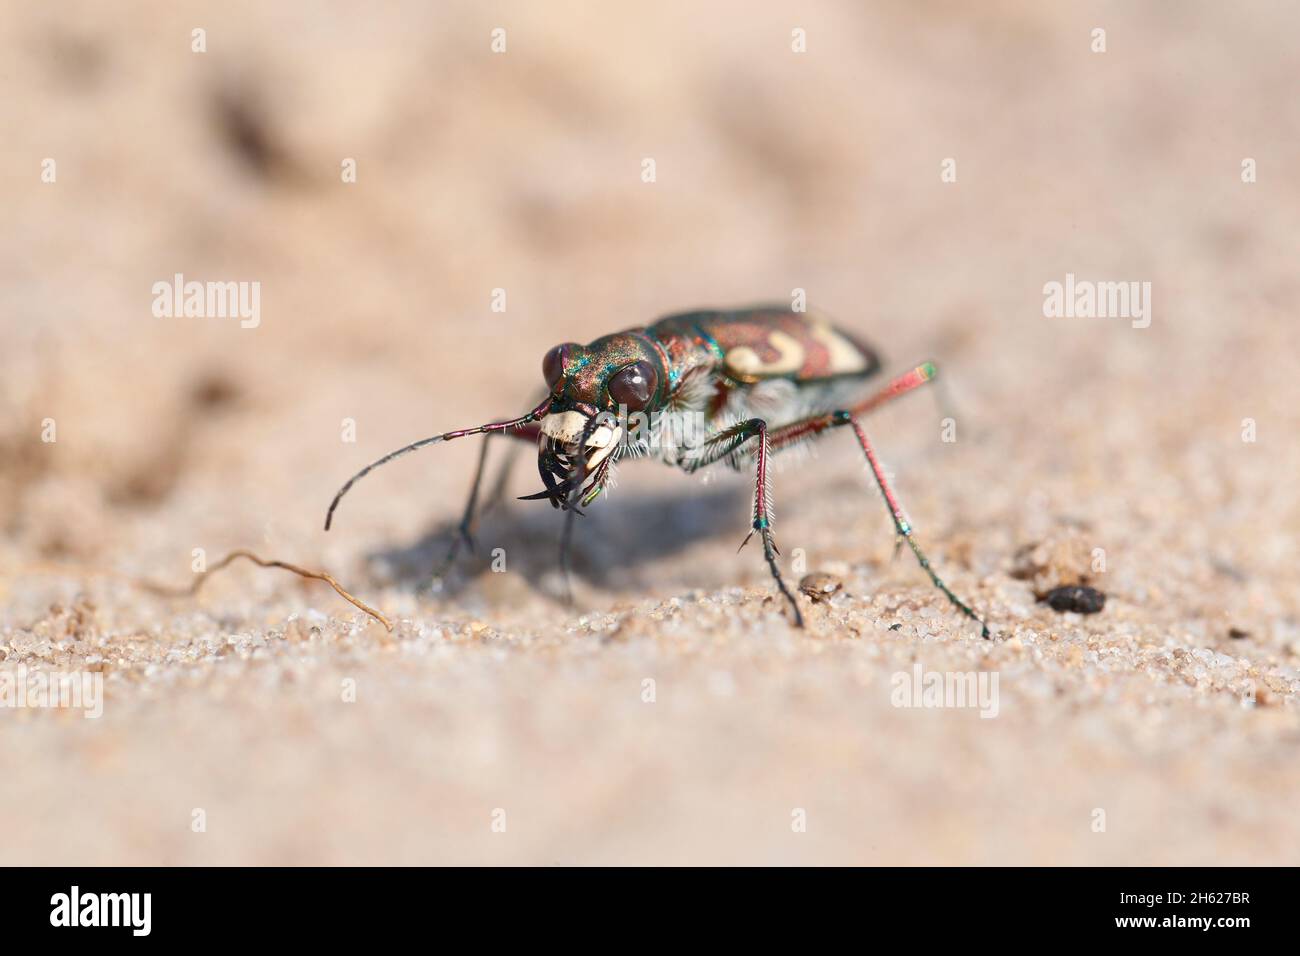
point(612, 540)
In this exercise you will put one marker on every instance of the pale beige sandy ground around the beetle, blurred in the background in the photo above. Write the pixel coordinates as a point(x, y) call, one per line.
point(674, 716)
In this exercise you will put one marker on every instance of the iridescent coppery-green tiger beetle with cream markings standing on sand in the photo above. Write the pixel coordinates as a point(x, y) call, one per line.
point(757, 382)
